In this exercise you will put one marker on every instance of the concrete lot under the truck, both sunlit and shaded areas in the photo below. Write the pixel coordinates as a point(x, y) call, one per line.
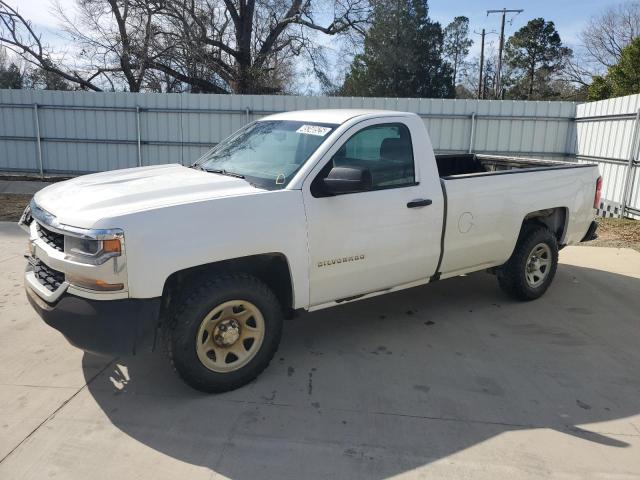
point(452, 380)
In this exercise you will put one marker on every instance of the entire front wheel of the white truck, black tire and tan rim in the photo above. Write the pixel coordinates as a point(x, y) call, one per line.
point(225, 333)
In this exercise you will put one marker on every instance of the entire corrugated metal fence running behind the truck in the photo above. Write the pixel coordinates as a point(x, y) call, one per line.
point(79, 132)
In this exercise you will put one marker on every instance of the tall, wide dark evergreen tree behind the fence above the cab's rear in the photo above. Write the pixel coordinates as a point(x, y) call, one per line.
point(402, 55)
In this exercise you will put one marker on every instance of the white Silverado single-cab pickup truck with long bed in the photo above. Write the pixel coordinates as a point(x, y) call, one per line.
point(300, 210)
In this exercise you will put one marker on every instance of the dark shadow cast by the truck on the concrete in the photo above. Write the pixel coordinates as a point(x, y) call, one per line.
point(386, 385)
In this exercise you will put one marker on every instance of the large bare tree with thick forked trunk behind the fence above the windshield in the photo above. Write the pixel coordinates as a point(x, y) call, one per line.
point(244, 43)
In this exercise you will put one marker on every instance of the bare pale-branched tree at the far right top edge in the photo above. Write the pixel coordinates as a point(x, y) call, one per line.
point(608, 33)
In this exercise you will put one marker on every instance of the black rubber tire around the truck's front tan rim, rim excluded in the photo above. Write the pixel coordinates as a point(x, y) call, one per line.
point(195, 306)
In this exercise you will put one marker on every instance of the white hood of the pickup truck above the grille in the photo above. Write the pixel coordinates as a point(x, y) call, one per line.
point(83, 201)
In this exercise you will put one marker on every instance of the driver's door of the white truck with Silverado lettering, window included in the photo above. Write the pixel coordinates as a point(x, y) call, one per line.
point(373, 240)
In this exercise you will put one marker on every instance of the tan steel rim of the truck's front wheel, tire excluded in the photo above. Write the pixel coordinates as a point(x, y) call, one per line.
point(230, 336)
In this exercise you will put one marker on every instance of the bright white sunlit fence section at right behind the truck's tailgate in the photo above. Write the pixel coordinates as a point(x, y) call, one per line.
point(608, 132)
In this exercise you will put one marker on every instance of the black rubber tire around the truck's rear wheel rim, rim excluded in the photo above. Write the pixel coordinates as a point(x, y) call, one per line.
point(512, 276)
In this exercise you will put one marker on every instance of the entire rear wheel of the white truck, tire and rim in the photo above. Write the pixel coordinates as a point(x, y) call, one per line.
point(532, 266)
